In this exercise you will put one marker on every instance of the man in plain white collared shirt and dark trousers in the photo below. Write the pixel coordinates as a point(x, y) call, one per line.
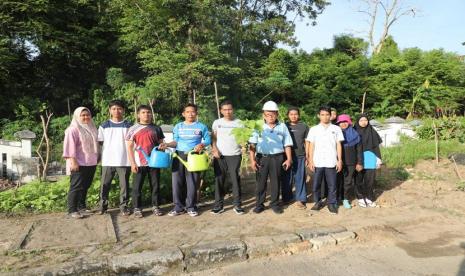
point(324, 155)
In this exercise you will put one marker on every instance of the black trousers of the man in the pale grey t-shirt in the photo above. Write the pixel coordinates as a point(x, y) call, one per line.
point(227, 165)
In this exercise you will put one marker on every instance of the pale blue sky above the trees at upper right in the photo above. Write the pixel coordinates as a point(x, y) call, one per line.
point(437, 24)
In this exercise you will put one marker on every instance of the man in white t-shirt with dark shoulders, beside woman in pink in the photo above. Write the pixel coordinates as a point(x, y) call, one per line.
point(112, 135)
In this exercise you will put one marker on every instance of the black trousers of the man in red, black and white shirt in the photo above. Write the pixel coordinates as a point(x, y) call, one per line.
point(154, 182)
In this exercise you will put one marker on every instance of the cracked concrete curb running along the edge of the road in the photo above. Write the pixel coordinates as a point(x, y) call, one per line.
point(204, 255)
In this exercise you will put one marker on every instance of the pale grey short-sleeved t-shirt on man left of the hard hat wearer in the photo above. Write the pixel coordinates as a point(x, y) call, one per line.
point(225, 140)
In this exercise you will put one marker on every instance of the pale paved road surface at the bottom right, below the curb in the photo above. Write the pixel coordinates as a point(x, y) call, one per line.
point(356, 260)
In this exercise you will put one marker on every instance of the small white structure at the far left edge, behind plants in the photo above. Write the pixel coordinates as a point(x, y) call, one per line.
point(16, 161)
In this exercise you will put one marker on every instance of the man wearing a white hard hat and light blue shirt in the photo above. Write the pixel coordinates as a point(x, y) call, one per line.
point(270, 153)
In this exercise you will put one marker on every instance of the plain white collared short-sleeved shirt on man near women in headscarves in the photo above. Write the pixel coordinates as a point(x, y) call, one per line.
point(325, 139)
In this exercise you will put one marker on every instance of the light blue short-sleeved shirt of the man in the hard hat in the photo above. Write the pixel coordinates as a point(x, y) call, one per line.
point(272, 140)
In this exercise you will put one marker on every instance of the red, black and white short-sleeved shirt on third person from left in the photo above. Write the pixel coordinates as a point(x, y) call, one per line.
point(145, 137)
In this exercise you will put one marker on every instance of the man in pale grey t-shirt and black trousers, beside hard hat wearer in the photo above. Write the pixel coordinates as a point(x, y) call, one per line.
point(228, 157)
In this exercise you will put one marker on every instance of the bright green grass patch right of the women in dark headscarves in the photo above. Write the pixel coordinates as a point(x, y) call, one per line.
point(410, 151)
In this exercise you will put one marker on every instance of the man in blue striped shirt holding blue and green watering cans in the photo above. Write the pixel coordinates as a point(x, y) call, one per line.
point(188, 135)
